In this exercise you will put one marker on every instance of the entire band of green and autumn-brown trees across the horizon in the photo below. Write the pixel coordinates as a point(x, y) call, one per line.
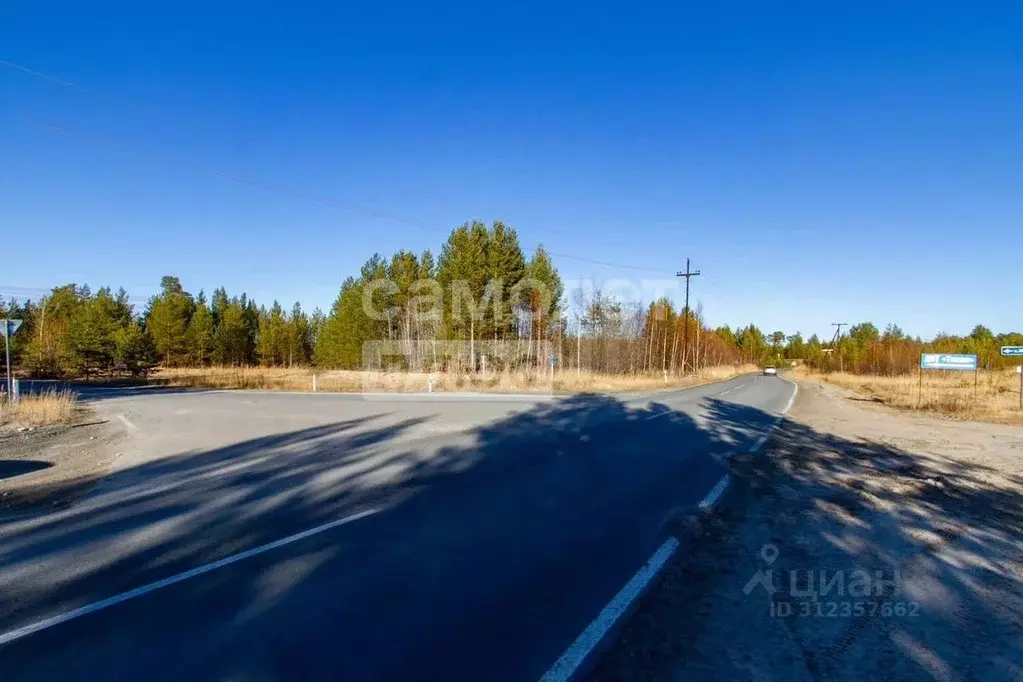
point(482, 305)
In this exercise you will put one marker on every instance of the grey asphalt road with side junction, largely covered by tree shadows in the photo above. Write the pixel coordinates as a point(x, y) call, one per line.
point(496, 530)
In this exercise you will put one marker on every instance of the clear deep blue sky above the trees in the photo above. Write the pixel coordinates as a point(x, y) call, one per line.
point(817, 164)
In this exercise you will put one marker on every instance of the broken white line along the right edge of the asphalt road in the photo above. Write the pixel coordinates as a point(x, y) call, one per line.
point(584, 647)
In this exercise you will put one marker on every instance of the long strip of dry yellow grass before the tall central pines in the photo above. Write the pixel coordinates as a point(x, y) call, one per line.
point(351, 382)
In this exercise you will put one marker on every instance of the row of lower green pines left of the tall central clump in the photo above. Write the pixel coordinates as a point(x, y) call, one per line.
point(74, 332)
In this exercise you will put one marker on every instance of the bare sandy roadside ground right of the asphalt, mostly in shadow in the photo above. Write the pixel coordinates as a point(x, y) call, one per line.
point(844, 486)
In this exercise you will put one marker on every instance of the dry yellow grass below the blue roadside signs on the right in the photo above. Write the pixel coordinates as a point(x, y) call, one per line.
point(996, 397)
